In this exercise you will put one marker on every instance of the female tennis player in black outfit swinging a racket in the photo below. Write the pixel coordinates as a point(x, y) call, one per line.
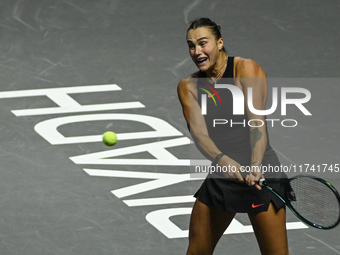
point(240, 143)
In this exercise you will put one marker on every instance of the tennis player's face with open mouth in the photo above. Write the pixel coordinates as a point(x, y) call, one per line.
point(203, 48)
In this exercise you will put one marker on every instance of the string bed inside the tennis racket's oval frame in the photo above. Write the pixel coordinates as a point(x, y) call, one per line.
point(314, 201)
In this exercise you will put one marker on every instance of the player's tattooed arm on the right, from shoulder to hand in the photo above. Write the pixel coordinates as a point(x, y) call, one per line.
point(251, 75)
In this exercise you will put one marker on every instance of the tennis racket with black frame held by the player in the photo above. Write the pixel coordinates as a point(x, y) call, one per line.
point(313, 200)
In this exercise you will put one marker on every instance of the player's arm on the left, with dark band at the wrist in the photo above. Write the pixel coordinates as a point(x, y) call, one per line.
point(187, 93)
